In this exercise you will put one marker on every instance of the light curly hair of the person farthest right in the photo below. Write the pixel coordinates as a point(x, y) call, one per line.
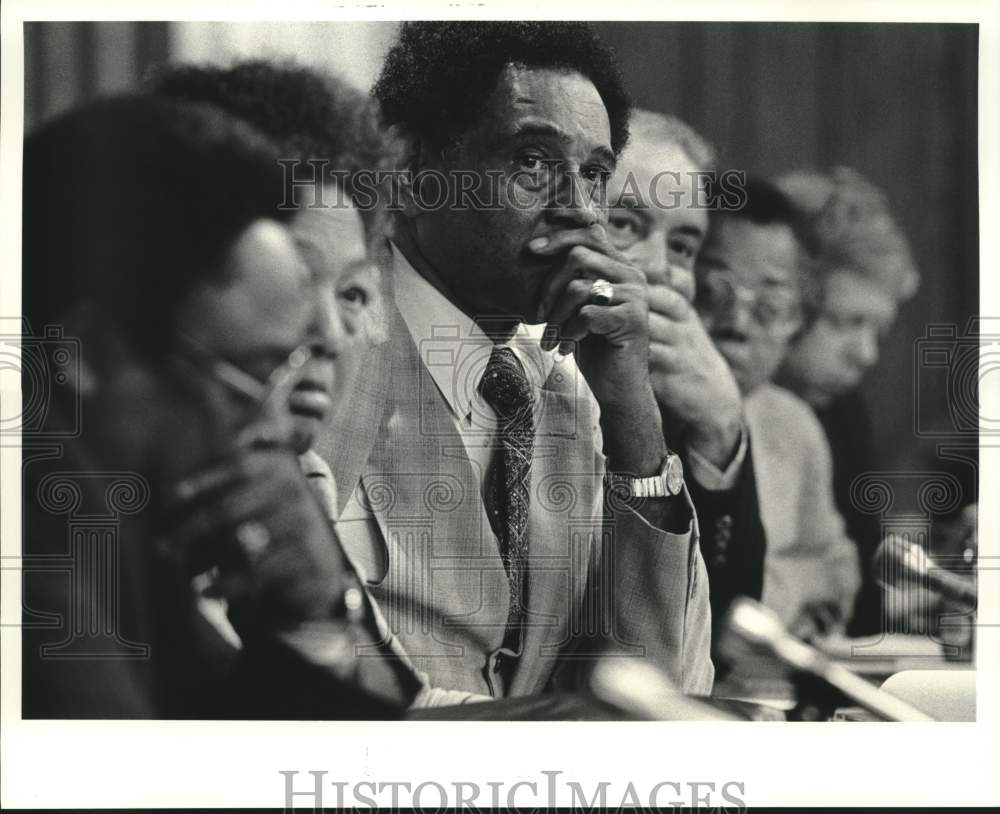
point(852, 226)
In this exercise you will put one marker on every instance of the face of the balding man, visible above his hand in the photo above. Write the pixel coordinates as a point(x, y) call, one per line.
point(656, 216)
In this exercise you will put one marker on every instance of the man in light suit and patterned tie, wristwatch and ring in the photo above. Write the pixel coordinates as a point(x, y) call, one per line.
point(503, 478)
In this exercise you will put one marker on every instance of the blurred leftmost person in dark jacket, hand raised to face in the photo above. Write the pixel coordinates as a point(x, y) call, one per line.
point(152, 233)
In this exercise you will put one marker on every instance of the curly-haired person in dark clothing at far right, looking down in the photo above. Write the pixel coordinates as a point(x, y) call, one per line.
point(865, 270)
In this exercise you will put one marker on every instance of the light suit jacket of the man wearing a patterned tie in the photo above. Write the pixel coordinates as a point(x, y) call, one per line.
point(411, 516)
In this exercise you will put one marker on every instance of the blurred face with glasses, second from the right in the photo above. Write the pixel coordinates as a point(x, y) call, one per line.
point(748, 295)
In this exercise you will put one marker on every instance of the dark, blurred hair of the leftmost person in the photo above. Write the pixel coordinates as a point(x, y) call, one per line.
point(130, 202)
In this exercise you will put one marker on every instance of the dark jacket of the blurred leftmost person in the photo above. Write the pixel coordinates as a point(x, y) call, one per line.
point(110, 630)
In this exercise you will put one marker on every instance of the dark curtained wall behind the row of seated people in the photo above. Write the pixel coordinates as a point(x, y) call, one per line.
point(896, 101)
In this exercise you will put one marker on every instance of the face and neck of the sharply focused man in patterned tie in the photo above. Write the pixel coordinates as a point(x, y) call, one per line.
point(543, 143)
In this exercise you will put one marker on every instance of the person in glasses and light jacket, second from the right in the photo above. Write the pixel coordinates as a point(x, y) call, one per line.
point(750, 296)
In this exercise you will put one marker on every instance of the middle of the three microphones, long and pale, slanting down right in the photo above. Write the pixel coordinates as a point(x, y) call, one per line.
point(750, 623)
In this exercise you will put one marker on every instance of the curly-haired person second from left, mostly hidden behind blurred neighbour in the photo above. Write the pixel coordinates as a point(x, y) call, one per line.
point(322, 122)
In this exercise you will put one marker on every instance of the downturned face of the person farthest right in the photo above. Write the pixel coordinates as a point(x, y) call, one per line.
point(831, 358)
